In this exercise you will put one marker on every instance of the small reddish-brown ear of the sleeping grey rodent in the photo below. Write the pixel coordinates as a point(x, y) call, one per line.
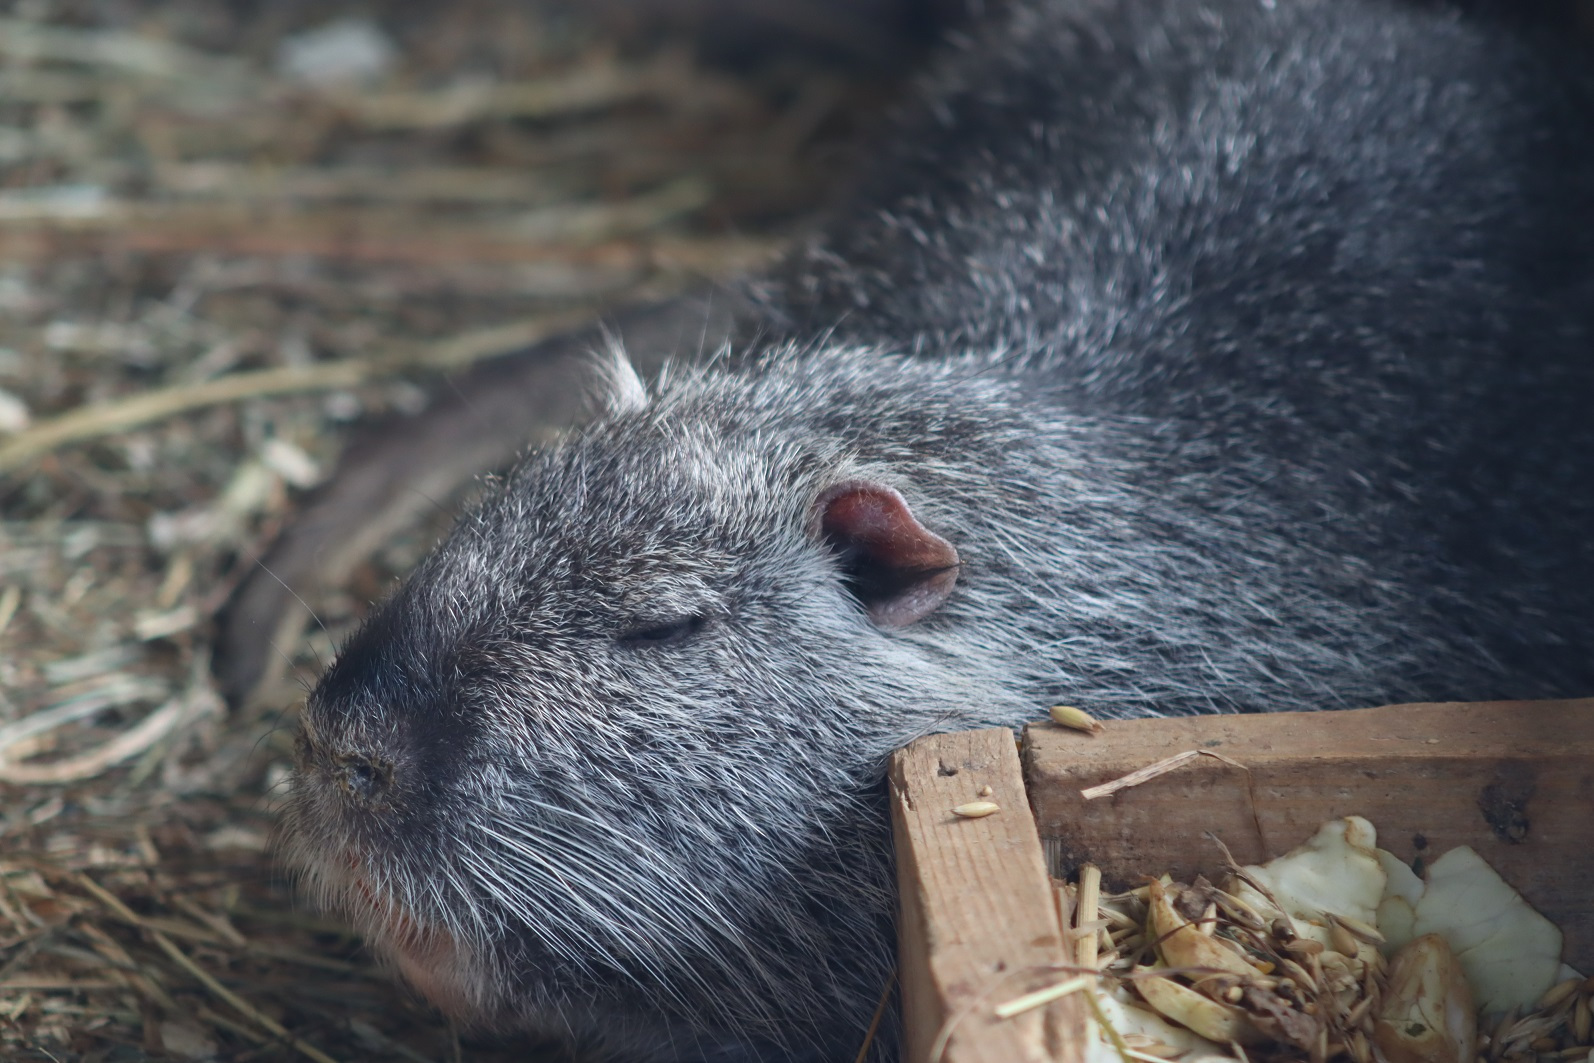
point(900, 570)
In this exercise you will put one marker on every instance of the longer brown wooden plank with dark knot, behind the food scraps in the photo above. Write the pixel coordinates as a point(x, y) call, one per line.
point(1515, 780)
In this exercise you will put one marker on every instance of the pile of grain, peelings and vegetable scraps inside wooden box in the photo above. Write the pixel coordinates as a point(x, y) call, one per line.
point(1332, 952)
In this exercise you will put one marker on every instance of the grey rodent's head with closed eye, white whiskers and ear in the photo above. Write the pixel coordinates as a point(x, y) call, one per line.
point(610, 761)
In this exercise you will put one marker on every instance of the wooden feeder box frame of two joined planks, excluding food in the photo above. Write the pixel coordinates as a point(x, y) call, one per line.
point(981, 922)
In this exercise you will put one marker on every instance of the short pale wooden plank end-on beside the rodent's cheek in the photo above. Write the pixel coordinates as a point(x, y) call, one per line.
point(978, 925)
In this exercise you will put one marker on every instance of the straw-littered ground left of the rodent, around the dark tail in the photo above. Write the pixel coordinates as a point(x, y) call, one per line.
point(229, 235)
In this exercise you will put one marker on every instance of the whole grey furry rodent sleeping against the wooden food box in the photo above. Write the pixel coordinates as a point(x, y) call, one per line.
point(1177, 358)
